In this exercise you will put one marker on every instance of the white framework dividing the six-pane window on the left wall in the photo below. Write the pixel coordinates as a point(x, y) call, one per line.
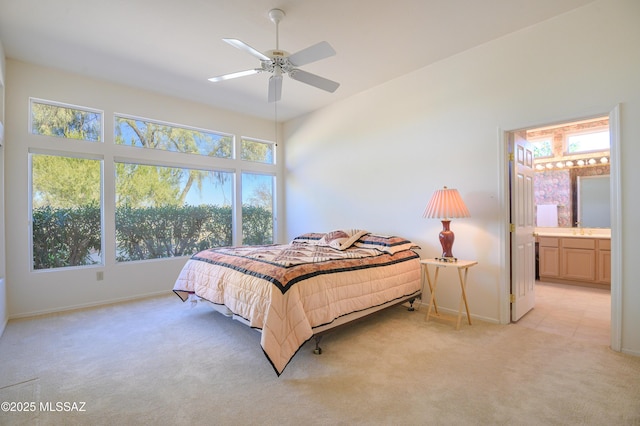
point(109, 153)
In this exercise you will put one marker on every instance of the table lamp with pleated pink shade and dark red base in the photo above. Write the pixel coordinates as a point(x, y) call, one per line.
point(446, 204)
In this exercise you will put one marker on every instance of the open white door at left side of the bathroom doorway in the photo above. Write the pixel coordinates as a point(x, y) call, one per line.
point(523, 294)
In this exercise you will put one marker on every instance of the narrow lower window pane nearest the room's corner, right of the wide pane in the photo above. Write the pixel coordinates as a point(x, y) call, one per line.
point(257, 208)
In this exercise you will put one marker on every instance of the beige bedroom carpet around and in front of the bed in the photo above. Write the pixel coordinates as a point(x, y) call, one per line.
point(158, 361)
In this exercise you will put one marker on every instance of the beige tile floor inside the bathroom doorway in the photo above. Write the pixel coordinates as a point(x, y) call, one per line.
point(573, 311)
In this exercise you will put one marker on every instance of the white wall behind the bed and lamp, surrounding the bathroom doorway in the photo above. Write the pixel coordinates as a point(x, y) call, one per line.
point(373, 161)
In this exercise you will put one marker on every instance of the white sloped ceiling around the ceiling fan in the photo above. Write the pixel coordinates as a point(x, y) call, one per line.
point(173, 46)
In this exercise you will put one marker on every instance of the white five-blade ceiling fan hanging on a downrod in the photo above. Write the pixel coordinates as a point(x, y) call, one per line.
point(279, 62)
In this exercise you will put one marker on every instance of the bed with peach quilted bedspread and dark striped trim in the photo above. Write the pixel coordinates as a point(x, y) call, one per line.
point(293, 292)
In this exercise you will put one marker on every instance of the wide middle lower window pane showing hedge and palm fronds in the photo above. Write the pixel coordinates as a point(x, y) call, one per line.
point(170, 211)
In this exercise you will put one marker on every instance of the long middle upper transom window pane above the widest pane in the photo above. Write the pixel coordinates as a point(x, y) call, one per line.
point(153, 135)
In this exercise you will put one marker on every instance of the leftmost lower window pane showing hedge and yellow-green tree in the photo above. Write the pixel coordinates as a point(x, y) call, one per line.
point(66, 224)
